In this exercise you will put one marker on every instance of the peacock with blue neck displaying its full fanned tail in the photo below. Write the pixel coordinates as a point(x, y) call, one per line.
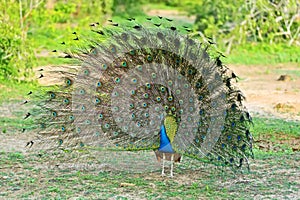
point(145, 86)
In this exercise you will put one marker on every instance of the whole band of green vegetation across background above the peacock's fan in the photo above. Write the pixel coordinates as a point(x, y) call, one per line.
point(29, 27)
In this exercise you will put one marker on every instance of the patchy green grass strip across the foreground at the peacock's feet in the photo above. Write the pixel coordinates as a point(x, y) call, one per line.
point(29, 180)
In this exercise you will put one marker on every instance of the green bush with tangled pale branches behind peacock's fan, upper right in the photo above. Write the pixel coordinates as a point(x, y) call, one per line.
point(240, 22)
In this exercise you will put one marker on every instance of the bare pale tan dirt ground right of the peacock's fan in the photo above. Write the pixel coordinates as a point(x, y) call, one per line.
point(268, 96)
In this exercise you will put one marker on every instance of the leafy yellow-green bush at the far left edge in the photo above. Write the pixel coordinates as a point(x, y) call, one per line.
point(16, 54)
